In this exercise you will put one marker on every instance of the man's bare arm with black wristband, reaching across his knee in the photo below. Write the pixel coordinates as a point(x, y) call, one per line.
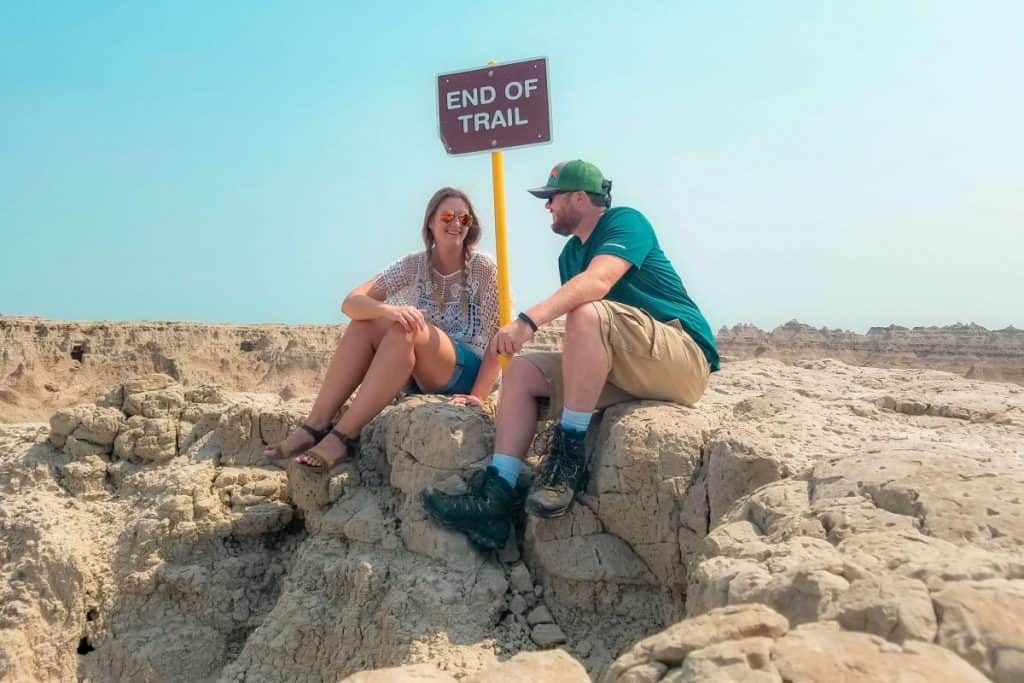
point(591, 285)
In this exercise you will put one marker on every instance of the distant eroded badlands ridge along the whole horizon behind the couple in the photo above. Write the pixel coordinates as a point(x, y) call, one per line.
point(50, 365)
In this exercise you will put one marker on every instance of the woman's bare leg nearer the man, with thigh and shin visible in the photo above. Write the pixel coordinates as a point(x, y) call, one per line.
point(428, 356)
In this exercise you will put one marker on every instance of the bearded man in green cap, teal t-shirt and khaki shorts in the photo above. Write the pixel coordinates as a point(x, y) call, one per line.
point(631, 332)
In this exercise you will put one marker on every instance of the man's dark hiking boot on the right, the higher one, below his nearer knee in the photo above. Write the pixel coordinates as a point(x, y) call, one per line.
point(562, 476)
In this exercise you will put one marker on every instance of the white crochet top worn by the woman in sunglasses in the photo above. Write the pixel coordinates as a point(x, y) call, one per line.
point(407, 283)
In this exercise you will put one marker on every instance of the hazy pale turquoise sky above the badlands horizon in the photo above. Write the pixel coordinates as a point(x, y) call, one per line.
point(845, 164)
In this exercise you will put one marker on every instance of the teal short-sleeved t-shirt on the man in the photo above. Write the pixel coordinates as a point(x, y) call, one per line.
point(652, 284)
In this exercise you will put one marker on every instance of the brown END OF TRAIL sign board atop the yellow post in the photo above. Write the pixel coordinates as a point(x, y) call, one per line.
point(495, 108)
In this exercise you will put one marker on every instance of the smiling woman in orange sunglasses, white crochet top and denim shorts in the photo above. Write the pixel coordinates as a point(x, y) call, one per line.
point(428, 318)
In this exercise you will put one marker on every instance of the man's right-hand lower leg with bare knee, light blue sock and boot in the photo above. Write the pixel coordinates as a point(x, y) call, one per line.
point(585, 371)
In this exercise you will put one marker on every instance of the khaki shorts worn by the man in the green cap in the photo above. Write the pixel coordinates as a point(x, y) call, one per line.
point(650, 360)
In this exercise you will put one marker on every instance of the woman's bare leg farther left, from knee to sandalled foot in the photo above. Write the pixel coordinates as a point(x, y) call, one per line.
point(346, 372)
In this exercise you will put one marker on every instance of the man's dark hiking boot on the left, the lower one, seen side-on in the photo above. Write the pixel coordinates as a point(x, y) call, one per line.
point(484, 514)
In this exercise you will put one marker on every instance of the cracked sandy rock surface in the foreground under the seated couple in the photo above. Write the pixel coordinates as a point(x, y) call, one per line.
point(812, 523)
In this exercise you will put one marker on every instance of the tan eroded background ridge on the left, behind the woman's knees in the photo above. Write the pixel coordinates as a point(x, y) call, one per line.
point(49, 365)
